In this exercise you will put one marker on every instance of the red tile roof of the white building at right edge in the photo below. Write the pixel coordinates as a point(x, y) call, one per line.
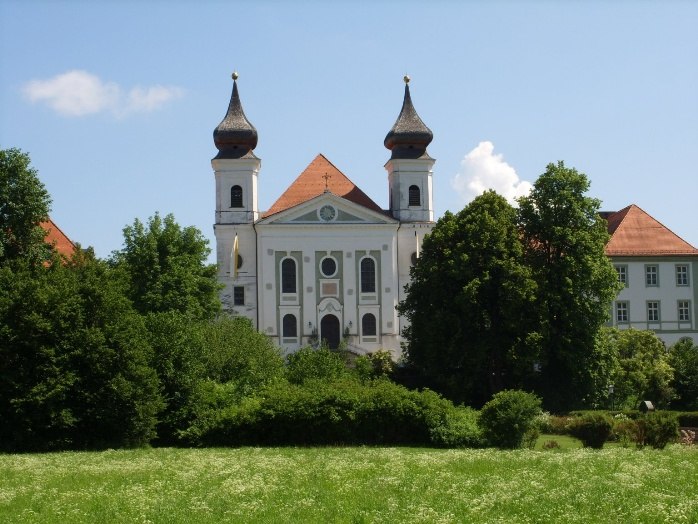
point(635, 233)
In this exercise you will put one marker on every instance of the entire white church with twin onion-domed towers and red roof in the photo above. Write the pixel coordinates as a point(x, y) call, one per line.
point(324, 262)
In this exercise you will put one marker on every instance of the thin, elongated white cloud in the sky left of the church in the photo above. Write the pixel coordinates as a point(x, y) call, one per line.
point(79, 93)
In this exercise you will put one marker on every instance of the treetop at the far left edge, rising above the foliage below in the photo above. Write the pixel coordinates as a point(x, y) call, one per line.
point(24, 204)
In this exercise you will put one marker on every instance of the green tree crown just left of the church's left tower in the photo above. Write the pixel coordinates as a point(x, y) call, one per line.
point(165, 266)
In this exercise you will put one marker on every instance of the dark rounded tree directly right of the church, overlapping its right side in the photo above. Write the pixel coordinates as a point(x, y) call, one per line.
point(468, 303)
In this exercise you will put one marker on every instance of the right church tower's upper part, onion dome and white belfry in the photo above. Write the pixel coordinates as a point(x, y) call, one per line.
point(410, 166)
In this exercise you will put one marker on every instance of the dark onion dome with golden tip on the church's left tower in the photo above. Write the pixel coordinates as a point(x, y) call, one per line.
point(235, 136)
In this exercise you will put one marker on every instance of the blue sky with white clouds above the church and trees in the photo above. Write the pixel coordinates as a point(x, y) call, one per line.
point(116, 102)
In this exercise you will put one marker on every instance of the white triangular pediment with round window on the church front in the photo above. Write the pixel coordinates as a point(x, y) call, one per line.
point(328, 209)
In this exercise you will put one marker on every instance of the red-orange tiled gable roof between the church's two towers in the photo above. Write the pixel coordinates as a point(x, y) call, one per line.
point(311, 183)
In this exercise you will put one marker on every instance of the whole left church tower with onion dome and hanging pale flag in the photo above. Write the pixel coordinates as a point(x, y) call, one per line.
point(236, 169)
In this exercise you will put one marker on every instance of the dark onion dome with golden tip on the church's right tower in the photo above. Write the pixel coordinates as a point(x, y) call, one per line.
point(409, 136)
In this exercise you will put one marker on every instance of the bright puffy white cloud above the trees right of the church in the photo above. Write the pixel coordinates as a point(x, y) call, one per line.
point(481, 170)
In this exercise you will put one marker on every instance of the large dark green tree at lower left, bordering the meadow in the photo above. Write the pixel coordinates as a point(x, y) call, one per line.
point(74, 359)
